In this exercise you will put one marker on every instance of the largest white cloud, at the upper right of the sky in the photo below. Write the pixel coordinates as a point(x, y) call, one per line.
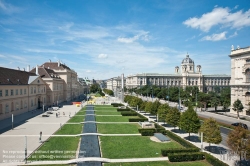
point(219, 16)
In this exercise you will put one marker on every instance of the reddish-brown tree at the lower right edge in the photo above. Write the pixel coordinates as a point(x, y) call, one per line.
point(237, 140)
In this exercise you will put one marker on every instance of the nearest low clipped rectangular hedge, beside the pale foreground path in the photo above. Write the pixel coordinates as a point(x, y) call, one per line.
point(178, 157)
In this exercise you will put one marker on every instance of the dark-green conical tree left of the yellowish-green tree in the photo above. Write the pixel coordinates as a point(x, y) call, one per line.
point(189, 121)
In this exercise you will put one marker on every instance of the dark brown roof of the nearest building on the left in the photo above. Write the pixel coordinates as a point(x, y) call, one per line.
point(14, 77)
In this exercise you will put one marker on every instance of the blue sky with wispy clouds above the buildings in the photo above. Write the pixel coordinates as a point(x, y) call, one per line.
point(101, 39)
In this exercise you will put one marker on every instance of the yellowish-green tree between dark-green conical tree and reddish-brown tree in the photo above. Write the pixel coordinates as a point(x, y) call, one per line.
point(211, 131)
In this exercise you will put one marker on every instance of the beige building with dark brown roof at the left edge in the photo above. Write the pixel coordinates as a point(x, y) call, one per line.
point(20, 91)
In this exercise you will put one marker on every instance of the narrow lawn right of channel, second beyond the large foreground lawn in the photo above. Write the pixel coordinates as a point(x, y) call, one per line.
point(114, 118)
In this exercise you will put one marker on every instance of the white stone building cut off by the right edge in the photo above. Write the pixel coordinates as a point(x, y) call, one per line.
point(240, 77)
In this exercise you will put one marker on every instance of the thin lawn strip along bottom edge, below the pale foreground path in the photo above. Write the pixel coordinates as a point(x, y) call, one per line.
point(160, 163)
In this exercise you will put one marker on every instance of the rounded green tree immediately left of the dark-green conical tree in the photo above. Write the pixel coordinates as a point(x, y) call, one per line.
point(173, 117)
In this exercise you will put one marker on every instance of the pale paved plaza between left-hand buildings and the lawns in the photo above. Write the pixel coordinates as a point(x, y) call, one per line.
point(12, 142)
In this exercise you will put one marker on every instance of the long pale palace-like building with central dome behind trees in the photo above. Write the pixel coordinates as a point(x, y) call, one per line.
point(184, 76)
